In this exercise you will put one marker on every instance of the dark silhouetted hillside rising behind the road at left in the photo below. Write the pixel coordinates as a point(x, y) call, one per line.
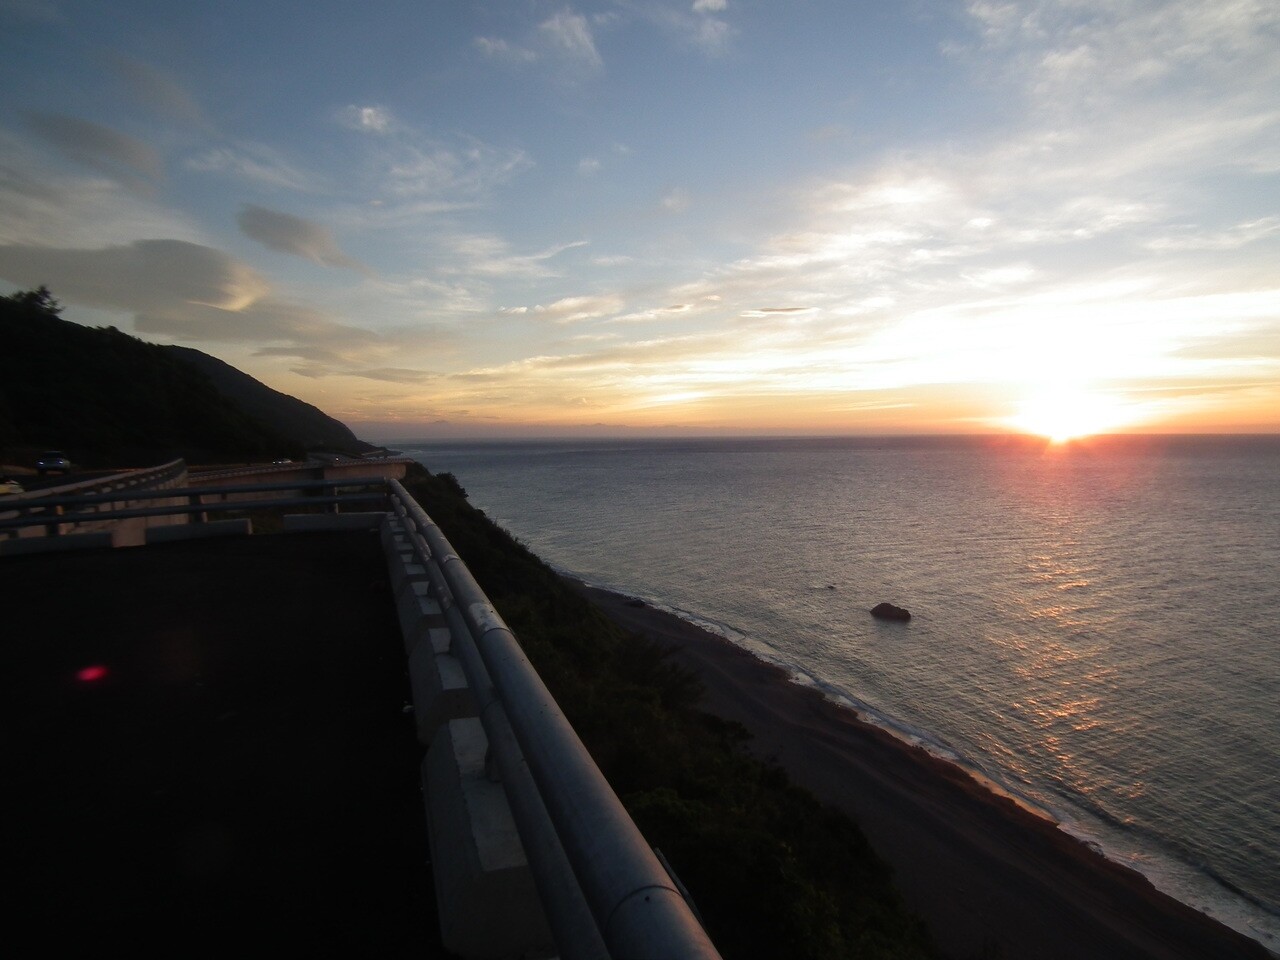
point(112, 400)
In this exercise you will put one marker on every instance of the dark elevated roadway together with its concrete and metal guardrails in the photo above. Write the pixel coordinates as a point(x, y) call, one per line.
point(220, 733)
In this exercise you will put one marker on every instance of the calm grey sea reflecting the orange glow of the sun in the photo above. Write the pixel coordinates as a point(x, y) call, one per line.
point(1096, 629)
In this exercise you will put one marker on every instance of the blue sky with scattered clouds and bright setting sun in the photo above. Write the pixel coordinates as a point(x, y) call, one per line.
point(493, 218)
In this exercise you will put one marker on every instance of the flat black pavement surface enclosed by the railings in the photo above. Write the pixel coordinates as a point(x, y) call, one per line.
point(205, 752)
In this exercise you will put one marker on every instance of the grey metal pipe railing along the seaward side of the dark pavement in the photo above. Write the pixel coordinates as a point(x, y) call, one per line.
point(632, 903)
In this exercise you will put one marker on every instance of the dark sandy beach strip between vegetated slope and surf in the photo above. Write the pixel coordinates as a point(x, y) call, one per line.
point(982, 871)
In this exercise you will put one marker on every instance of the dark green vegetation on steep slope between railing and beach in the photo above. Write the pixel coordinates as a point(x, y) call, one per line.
point(772, 871)
